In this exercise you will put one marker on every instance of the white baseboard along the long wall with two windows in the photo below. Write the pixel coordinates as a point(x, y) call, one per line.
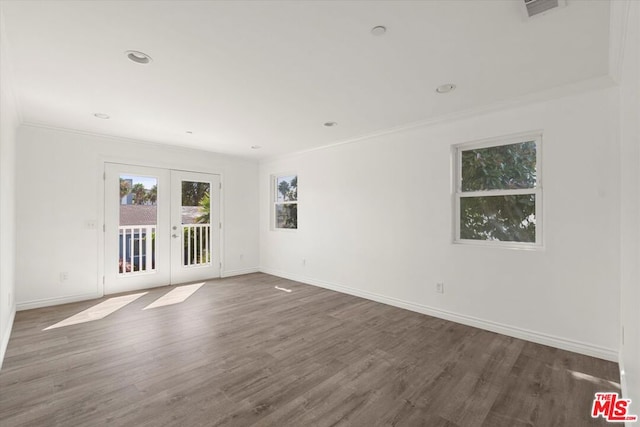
point(512, 331)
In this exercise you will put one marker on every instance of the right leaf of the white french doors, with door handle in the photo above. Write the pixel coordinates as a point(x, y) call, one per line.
point(195, 226)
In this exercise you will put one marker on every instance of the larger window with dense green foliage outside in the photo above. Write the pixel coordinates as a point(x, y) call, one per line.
point(498, 198)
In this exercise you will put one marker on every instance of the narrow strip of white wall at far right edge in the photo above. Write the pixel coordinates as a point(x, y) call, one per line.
point(630, 208)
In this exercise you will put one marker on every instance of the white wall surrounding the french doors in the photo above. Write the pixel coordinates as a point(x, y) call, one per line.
point(59, 179)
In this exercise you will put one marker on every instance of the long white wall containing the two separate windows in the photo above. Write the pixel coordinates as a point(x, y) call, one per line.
point(375, 220)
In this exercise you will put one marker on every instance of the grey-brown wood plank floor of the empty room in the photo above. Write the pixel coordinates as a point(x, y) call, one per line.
point(241, 353)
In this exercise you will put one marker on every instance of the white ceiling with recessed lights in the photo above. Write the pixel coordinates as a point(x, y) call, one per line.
point(270, 73)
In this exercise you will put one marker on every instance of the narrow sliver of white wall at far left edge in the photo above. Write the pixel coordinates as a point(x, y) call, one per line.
point(8, 125)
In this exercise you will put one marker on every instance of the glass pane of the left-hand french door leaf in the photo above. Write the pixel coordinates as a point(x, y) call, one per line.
point(138, 223)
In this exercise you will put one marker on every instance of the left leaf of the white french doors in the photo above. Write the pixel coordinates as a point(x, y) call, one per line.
point(137, 223)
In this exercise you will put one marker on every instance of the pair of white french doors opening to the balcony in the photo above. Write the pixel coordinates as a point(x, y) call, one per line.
point(161, 227)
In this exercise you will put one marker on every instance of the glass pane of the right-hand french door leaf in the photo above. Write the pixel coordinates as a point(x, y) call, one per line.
point(196, 223)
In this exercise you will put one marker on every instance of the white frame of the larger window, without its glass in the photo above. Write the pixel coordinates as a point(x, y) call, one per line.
point(456, 161)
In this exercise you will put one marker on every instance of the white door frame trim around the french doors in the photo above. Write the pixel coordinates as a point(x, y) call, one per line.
point(100, 192)
